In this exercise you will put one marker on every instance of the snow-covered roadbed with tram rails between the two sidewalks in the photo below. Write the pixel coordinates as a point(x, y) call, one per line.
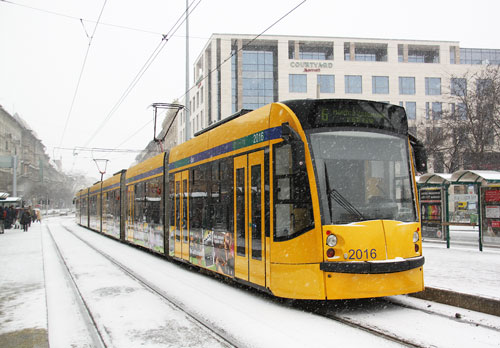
point(129, 311)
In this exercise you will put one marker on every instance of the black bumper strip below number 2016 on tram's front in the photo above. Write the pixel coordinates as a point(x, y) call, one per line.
point(373, 267)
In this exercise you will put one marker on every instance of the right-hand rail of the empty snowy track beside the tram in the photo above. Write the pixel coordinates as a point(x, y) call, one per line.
point(225, 338)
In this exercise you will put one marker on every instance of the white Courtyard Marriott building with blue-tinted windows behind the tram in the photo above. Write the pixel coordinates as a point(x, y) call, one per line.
point(238, 71)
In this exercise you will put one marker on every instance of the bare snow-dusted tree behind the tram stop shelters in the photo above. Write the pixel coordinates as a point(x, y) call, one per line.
point(464, 134)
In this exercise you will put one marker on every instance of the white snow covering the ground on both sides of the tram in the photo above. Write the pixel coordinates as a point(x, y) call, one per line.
point(28, 263)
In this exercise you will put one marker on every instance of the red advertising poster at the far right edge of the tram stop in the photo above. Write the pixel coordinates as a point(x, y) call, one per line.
point(491, 215)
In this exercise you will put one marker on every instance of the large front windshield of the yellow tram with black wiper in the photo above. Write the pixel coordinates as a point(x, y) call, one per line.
point(363, 176)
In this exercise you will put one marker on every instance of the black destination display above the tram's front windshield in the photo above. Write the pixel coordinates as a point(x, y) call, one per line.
point(350, 113)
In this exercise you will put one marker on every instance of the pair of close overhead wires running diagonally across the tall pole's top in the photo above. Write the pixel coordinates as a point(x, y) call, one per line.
point(145, 67)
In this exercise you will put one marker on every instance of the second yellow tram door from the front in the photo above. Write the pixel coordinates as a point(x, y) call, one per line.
point(181, 215)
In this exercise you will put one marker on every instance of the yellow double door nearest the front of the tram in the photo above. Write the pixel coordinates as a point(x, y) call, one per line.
point(249, 220)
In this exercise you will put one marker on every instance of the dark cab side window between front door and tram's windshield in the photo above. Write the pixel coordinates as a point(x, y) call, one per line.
point(292, 195)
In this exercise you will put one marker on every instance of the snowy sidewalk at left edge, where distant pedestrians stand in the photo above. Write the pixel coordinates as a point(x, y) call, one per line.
point(23, 309)
